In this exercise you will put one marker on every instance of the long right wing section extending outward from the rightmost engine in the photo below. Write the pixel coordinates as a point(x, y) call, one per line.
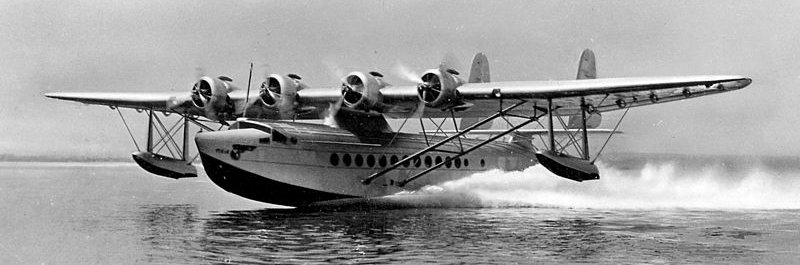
point(602, 95)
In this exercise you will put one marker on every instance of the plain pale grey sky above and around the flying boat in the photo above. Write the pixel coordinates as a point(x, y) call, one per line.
point(158, 46)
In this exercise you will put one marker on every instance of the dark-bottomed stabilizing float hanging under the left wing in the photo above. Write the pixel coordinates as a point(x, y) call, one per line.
point(164, 166)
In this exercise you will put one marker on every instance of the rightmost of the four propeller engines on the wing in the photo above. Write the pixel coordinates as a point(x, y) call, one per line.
point(438, 88)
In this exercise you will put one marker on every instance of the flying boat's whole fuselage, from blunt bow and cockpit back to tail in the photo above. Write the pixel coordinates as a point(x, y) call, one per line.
point(295, 164)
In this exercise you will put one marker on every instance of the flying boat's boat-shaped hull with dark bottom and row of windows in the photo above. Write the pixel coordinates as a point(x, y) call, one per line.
point(303, 173)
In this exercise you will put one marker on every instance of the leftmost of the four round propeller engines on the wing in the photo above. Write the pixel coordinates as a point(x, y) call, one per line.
point(211, 95)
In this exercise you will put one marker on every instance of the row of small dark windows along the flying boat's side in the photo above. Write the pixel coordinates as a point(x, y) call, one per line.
point(358, 160)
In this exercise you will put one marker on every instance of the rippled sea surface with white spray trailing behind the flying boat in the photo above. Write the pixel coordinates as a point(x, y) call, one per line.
point(645, 209)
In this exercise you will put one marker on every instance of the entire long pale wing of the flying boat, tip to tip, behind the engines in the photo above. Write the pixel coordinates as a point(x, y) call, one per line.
point(482, 98)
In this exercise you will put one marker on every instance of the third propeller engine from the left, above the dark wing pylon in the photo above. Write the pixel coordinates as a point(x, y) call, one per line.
point(363, 91)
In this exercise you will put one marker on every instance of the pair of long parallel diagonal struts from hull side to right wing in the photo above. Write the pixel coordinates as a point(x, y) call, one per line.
point(433, 147)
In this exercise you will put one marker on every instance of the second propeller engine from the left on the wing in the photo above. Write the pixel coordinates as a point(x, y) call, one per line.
point(279, 92)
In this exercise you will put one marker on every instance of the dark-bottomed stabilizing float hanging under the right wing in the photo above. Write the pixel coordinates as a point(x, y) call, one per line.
point(568, 166)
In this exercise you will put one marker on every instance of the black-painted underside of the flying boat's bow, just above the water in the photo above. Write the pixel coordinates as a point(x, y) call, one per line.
point(255, 187)
